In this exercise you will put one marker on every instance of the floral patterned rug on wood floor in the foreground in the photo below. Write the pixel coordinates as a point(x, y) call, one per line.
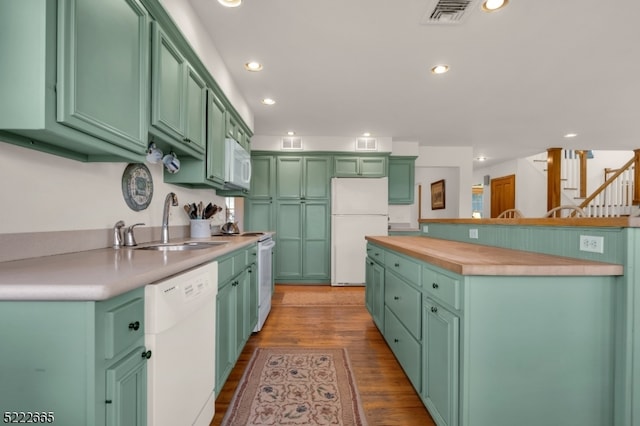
point(291, 386)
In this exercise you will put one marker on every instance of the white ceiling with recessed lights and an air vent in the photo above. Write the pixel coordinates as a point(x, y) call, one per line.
point(520, 77)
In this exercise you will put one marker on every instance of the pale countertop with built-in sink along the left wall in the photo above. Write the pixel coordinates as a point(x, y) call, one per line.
point(103, 273)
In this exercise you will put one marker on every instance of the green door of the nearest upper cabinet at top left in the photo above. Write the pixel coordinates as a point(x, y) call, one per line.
point(105, 94)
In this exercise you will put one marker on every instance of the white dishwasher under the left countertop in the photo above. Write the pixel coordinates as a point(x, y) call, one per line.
point(180, 324)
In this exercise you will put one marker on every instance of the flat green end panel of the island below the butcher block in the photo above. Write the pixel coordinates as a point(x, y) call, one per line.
point(538, 348)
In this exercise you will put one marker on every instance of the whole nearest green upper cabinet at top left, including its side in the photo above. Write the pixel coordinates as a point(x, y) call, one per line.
point(75, 77)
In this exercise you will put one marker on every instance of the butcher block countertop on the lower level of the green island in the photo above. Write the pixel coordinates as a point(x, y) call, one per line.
point(476, 259)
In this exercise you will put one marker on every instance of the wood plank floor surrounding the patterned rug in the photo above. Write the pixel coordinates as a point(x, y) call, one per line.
point(386, 394)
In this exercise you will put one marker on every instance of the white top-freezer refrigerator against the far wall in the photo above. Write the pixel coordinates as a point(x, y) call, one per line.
point(359, 207)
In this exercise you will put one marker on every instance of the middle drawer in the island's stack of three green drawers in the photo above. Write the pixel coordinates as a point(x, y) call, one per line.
point(404, 301)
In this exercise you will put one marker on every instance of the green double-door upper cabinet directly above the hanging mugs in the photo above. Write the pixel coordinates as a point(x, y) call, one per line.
point(178, 98)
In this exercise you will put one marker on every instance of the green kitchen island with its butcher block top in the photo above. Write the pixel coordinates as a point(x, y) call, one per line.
point(495, 336)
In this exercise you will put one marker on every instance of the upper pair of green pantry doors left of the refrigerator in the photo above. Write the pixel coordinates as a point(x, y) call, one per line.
point(305, 177)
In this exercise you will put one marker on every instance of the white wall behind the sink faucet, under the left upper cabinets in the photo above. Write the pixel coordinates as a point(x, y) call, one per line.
point(43, 192)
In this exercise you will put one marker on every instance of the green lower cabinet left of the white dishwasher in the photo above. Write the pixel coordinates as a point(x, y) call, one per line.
point(80, 361)
